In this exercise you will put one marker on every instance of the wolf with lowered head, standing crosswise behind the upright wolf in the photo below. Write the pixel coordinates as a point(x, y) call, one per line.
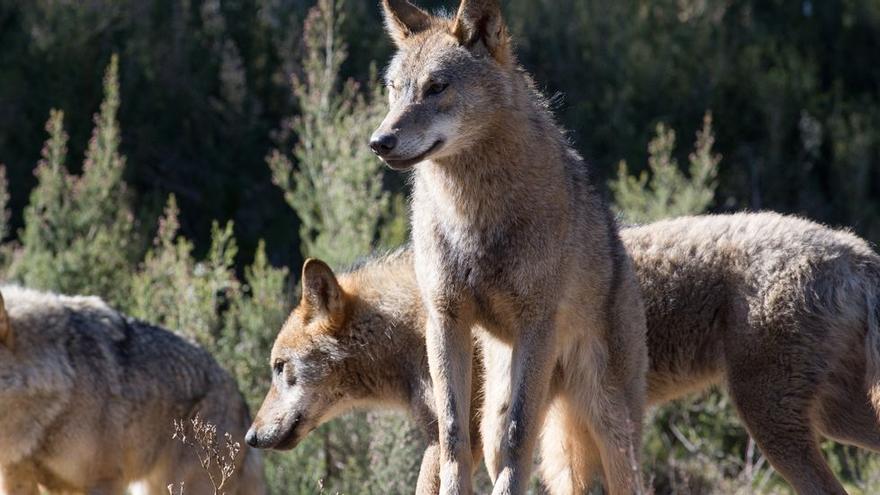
point(782, 310)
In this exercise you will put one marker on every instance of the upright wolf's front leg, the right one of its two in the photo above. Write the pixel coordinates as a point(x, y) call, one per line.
point(531, 368)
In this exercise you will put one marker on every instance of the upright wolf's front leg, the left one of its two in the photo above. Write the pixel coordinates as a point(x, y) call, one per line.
point(450, 351)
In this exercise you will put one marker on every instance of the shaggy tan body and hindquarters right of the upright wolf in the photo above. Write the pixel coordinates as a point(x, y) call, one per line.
point(781, 309)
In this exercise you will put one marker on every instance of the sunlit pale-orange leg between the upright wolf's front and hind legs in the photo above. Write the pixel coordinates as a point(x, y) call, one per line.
point(569, 455)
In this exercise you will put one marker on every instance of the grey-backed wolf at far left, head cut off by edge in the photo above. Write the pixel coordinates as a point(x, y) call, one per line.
point(88, 398)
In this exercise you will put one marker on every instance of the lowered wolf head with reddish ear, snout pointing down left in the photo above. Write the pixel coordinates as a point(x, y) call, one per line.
point(307, 388)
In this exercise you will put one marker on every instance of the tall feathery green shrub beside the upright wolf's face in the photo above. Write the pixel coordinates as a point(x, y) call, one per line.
point(336, 185)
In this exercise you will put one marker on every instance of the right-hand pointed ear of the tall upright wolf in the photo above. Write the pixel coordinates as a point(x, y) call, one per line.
point(480, 22)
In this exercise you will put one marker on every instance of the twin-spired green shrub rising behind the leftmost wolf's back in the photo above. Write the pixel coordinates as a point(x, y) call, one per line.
point(79, 235)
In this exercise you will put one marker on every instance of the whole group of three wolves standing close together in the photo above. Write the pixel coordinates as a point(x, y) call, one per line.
point(520, 322)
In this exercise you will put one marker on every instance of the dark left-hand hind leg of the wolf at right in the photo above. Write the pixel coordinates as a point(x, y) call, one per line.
point(776, 411)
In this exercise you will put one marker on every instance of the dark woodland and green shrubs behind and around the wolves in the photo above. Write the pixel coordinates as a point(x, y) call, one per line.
point(181, 157)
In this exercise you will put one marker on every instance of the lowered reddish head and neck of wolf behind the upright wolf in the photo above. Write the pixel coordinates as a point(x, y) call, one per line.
point(350, 343)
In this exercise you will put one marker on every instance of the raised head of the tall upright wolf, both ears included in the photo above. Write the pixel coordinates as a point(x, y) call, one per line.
point(446, 83)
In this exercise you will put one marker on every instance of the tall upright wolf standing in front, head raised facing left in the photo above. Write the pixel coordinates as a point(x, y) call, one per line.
point(512, 242)
